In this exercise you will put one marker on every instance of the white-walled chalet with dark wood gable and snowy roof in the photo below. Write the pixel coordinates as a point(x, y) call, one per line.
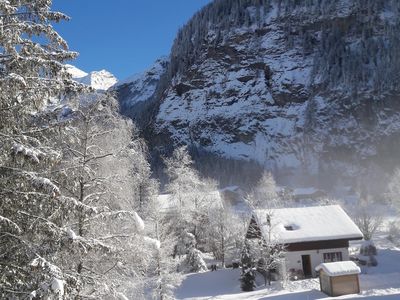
point(311, 235)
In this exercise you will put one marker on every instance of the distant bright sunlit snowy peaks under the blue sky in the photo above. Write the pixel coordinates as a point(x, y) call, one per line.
point(99, 80)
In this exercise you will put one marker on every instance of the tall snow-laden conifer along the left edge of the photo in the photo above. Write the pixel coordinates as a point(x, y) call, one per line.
point(31, 77)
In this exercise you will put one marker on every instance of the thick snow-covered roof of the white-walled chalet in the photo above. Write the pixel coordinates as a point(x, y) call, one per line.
point(306, 224)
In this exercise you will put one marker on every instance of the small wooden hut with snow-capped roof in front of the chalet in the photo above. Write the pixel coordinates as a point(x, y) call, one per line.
point(339, 278)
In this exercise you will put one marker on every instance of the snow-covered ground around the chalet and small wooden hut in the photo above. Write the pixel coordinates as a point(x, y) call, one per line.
point(381, 282)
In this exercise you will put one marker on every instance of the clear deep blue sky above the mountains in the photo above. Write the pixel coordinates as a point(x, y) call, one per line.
point(122, 36)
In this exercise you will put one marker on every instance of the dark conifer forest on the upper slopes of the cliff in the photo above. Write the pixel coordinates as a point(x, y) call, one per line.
point(337, 61)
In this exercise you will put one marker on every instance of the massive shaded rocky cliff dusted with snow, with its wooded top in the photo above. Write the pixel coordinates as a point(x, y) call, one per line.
point(302, 87)
